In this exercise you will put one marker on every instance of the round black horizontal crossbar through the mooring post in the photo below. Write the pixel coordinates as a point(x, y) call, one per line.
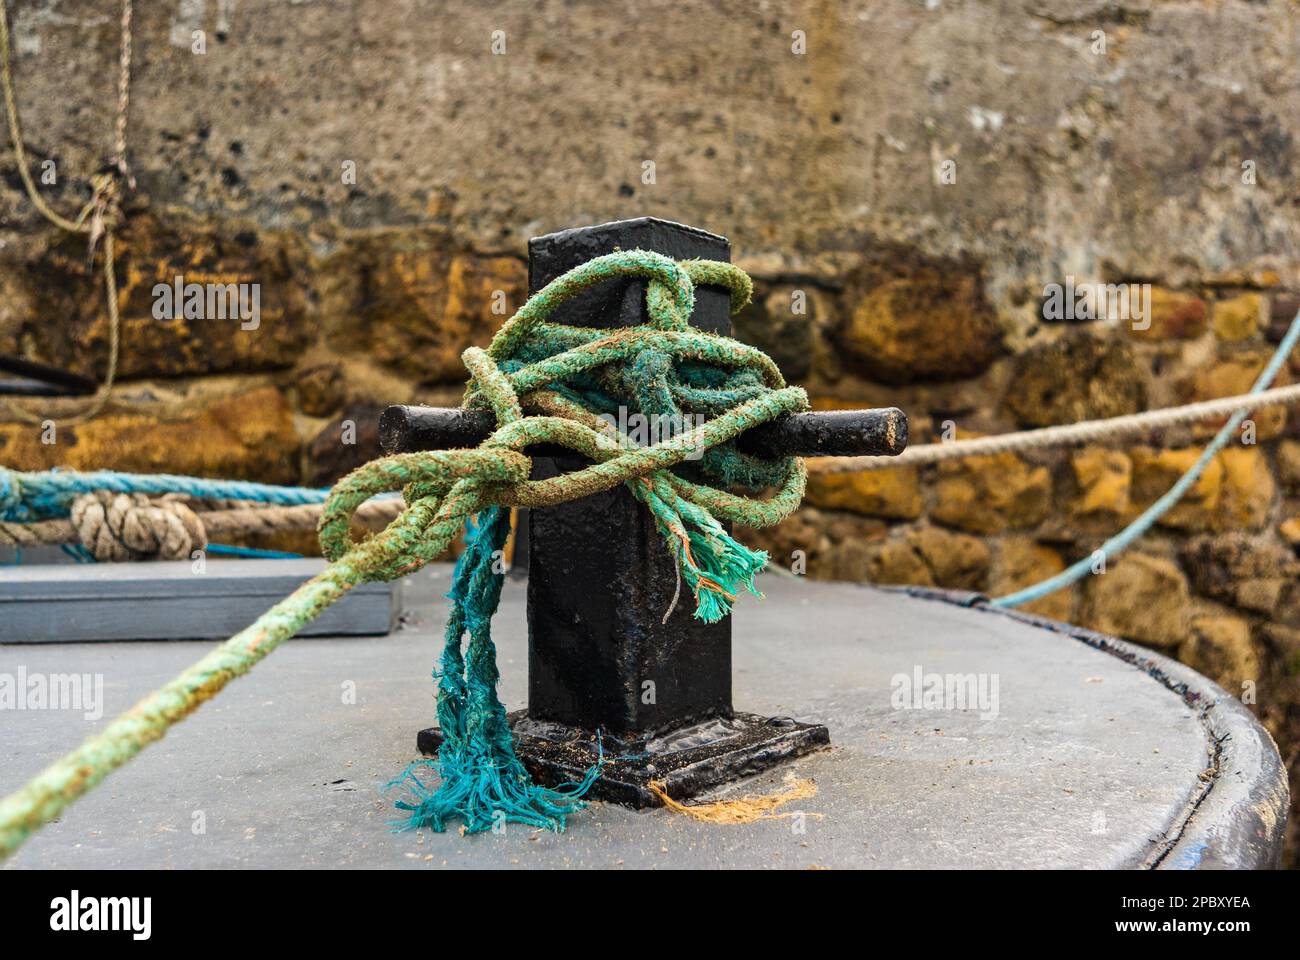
point(822, 434)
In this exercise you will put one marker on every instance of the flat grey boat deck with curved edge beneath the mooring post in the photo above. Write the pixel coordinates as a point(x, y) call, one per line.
point(1091, 762)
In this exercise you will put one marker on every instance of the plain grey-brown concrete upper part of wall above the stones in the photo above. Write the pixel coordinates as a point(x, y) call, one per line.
point(1068, 161)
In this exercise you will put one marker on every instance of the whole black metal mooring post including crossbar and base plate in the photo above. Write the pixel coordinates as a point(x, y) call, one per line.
point(604, 661)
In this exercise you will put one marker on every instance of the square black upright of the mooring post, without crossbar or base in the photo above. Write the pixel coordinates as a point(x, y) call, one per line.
point(603, 655)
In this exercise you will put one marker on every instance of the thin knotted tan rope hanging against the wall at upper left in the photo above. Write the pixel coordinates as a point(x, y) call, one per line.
point(98, 219)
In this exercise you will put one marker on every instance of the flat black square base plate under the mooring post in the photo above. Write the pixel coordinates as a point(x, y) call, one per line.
point(683, 763)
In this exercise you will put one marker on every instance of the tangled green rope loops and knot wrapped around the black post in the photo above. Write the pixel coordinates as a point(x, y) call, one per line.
point(696, 392)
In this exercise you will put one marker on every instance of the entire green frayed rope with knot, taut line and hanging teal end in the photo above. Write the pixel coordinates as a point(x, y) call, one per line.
point(565, 378)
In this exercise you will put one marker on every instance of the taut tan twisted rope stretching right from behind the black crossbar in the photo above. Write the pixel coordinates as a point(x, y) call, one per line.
point(1069, 435)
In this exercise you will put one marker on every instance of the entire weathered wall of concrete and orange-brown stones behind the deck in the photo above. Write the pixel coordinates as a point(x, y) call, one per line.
point(917, 179)
